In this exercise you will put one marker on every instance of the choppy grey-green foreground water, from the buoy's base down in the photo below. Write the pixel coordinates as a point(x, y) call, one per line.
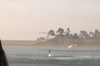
point(54, 60)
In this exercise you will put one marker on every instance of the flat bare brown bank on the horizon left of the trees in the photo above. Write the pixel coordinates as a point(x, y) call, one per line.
point(18, 42)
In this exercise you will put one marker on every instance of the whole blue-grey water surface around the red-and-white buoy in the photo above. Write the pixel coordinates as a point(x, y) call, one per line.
point(33, 56)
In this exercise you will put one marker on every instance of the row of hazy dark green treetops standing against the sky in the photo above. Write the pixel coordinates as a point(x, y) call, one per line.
point(61, 34)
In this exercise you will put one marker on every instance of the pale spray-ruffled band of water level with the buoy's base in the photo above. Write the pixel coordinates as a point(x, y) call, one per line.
point(52, 57)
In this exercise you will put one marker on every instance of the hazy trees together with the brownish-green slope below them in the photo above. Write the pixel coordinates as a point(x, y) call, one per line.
point(65, 38)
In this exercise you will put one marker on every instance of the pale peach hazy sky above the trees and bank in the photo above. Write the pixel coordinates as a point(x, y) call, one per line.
point(24, 19)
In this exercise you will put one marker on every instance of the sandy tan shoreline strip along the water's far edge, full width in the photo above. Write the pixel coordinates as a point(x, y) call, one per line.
point(33, 43)
